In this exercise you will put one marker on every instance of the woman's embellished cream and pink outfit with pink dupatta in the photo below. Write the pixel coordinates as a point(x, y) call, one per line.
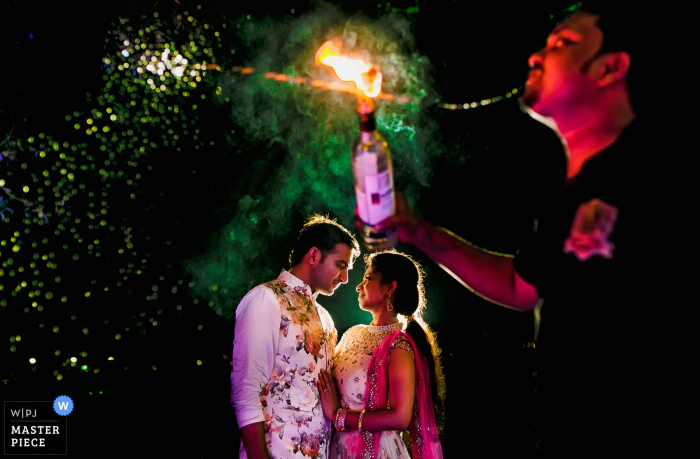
point(361, 369)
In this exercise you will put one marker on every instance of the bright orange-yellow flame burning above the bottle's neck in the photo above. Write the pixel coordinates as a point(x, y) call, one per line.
point(366, 76)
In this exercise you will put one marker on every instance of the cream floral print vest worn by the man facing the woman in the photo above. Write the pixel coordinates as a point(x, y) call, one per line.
point(294, 423)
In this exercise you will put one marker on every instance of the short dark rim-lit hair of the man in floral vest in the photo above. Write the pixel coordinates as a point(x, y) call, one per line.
point(322, 233)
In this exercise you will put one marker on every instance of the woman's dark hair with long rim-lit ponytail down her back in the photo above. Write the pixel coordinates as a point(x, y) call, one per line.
point(409, 302)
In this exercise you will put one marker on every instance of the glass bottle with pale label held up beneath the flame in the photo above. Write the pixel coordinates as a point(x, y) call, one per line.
point(374, 180)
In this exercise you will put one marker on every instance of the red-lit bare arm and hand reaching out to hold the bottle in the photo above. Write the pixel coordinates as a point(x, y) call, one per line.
point(489, 275)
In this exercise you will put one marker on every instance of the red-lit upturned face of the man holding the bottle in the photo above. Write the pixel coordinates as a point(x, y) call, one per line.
point(561, 77)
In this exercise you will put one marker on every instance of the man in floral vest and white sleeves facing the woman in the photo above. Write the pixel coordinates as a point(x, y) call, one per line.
point(283, 339)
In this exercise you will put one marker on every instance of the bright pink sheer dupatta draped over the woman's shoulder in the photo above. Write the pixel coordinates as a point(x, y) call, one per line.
point(424, 436)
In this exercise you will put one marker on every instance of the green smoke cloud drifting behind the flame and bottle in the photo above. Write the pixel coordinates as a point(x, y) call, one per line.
point(315, 128)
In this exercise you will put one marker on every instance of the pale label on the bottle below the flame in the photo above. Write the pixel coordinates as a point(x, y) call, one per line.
point(376, 203)
